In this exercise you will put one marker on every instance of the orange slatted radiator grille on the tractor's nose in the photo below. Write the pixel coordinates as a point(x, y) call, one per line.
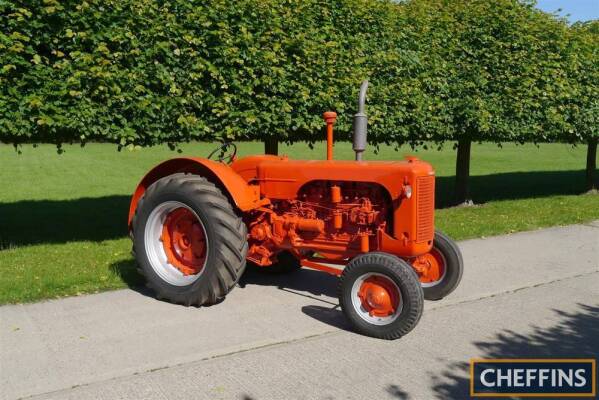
point(425, 208)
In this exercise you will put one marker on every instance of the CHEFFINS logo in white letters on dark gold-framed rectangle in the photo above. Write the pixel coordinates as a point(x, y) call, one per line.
point(533, 377)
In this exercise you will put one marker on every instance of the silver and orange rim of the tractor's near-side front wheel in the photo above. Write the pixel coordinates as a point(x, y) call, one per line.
point(376, 298)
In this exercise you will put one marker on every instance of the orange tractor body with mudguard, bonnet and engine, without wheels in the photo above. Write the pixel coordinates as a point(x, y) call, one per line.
point(338, 209)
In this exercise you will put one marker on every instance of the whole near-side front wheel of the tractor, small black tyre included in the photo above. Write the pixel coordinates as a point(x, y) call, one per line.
point(380, 295)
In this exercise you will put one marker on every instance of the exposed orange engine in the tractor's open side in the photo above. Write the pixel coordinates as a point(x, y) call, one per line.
point(333, 219)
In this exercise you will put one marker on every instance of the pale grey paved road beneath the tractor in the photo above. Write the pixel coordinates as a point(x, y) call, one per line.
point(526, 294)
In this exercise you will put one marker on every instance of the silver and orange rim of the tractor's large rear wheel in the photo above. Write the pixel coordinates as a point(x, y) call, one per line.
point(176, 243)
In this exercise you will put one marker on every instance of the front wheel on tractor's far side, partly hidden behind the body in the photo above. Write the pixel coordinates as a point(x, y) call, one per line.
point(440, 271)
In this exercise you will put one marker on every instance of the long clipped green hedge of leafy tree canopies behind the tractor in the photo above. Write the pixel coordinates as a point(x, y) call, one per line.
point(143, 72)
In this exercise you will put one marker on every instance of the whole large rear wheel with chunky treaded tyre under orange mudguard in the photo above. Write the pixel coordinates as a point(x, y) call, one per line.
point(188, 241)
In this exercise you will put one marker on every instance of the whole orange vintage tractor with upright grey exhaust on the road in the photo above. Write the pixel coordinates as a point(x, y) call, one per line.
point(197, 222)
